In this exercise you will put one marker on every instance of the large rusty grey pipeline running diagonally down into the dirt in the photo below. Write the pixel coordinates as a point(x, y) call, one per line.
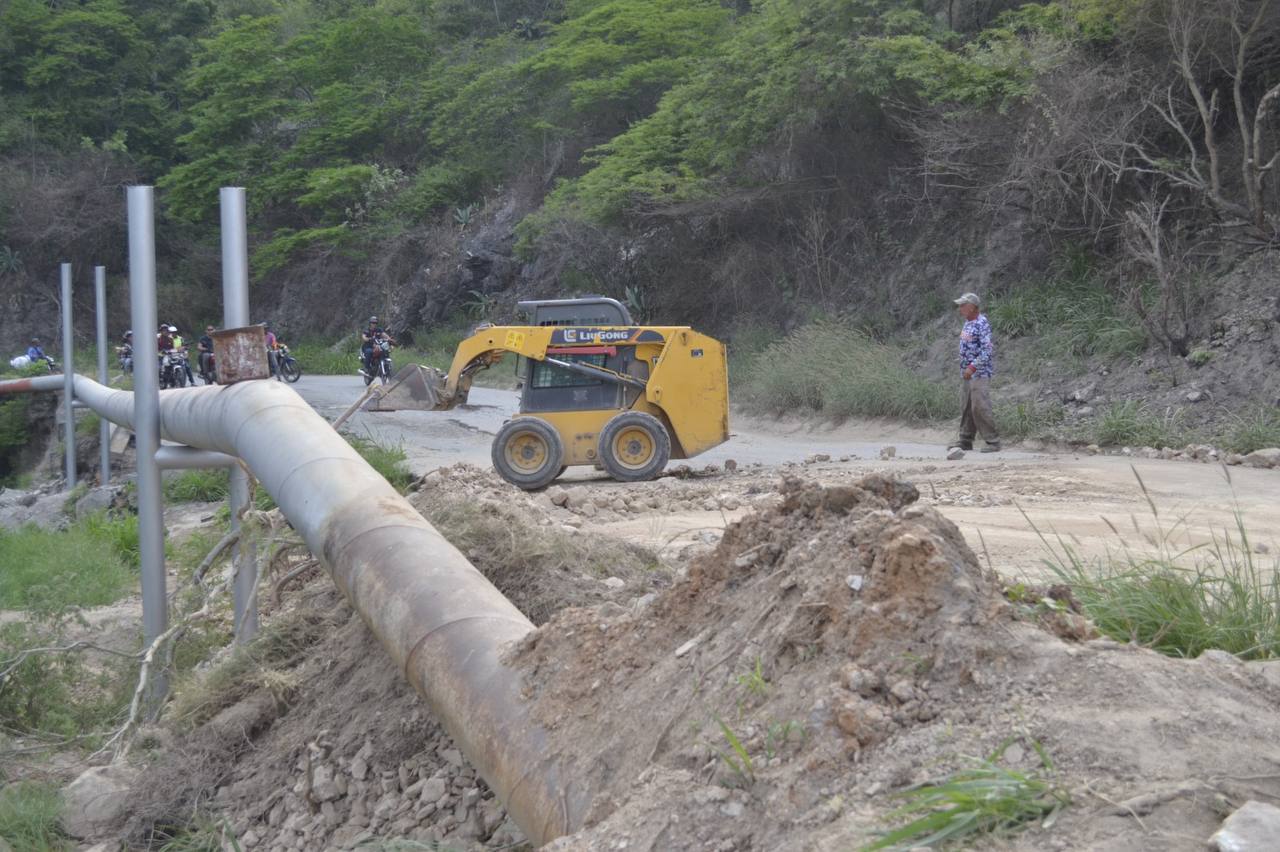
point(440, 619)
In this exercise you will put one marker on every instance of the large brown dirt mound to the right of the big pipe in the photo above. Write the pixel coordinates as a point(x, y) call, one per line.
point(845, 645)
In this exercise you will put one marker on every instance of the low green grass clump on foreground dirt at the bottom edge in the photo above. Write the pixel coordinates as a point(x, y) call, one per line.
point(984, 799)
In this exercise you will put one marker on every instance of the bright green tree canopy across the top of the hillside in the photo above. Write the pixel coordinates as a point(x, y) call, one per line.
point(353, 122)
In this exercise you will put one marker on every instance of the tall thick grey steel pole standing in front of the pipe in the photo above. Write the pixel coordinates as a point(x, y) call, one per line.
point(147, 418)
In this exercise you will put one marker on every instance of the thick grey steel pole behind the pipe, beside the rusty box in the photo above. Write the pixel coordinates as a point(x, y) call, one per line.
point(236, 315)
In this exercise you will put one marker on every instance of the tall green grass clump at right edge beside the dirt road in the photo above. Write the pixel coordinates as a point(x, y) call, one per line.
point(1180, 601)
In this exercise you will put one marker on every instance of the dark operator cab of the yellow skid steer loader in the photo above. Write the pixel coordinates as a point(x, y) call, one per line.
point(547, 388)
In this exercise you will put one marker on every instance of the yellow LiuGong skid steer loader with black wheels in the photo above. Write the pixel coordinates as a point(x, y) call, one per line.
point(596, 390)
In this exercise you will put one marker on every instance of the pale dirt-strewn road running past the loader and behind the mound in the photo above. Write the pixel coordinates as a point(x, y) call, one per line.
point(990, 497)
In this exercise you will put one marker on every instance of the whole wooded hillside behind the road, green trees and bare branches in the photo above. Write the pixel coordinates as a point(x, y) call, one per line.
point(711, 162)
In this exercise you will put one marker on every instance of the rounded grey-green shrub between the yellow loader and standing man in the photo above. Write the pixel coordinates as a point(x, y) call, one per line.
point(838, 370)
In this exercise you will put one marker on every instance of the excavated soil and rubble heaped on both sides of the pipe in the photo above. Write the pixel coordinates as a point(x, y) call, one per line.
point(845, 639)
